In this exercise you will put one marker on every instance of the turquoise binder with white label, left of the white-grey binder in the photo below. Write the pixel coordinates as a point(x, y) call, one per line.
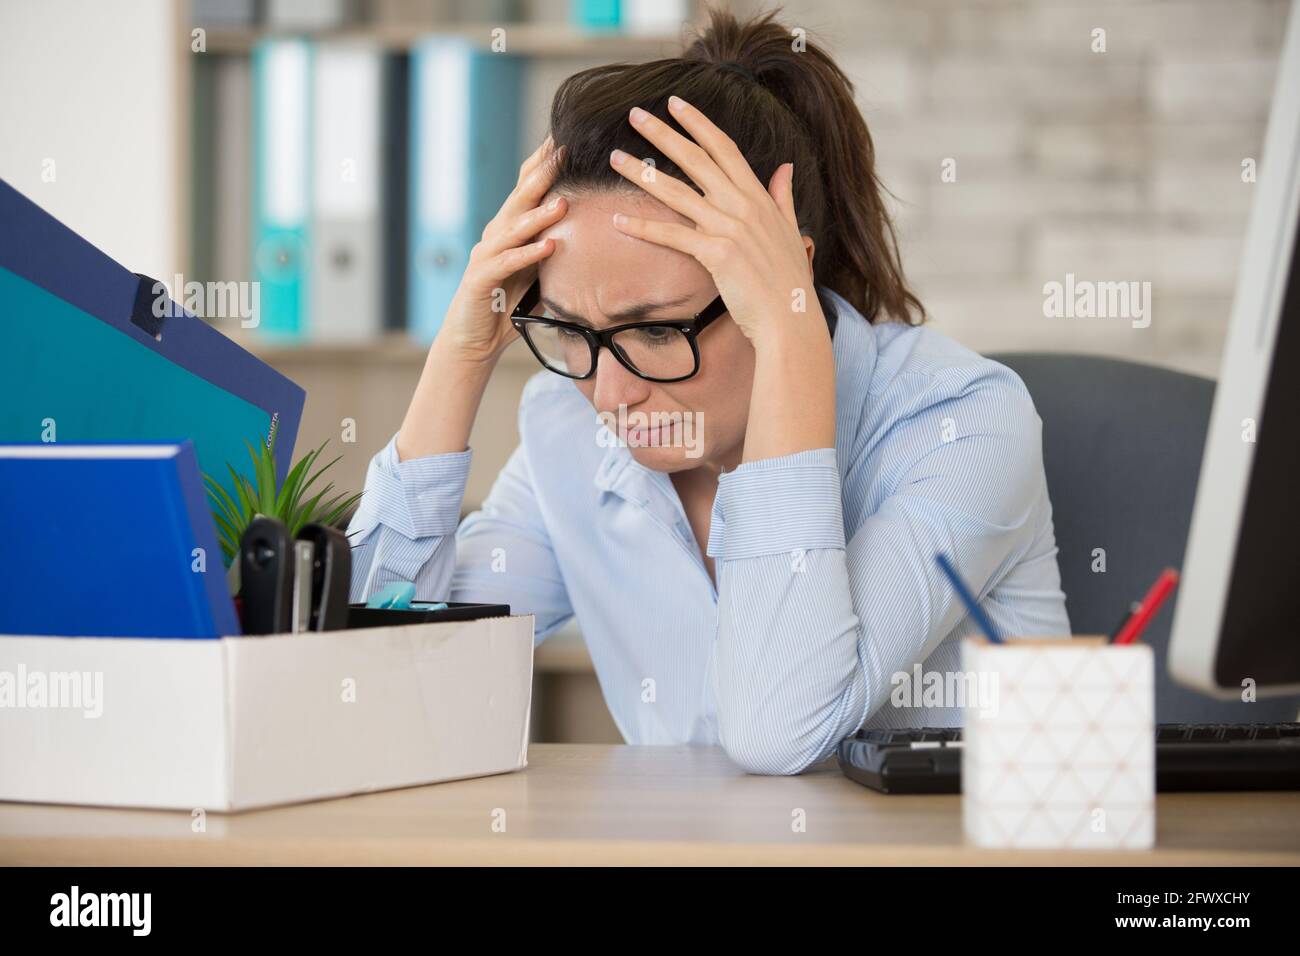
point(283, 185)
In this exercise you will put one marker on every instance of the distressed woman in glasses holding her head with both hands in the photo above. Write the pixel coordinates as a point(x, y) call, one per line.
point(705, 265)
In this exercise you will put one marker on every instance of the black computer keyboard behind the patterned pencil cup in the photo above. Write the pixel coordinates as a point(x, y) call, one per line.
point(1189, 758)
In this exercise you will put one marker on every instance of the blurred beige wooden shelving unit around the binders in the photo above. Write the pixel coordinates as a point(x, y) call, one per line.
point(371, 383)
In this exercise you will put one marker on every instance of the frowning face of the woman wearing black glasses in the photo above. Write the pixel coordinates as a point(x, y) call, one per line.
point(597, 275)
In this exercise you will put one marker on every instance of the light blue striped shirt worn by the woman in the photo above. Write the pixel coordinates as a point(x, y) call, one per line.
point(827, 585)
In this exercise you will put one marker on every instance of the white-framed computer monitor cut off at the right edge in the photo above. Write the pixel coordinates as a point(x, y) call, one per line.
point(1237, 624)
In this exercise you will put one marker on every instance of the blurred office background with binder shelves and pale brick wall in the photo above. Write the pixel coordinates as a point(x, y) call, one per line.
point(1116, 158)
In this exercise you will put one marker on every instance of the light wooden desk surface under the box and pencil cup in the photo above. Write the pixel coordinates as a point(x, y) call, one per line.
point(617, 804)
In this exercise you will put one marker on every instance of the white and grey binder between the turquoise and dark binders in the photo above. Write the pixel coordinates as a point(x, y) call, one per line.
point(348, 189)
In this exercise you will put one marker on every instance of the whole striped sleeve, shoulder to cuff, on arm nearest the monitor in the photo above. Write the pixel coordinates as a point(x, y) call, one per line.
point(813, 624)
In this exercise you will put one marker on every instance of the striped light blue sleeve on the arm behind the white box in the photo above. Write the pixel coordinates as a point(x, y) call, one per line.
point(406, 530)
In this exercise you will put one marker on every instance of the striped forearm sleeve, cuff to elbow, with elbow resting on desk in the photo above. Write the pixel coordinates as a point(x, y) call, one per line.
point(790, 684)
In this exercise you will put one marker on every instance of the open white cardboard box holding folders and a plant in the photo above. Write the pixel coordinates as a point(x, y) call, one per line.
point(245, 723)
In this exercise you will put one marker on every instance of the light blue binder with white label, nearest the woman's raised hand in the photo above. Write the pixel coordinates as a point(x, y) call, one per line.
point(465, 159)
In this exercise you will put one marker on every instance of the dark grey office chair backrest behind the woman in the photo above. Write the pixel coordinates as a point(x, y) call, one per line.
point(1123, 448)
